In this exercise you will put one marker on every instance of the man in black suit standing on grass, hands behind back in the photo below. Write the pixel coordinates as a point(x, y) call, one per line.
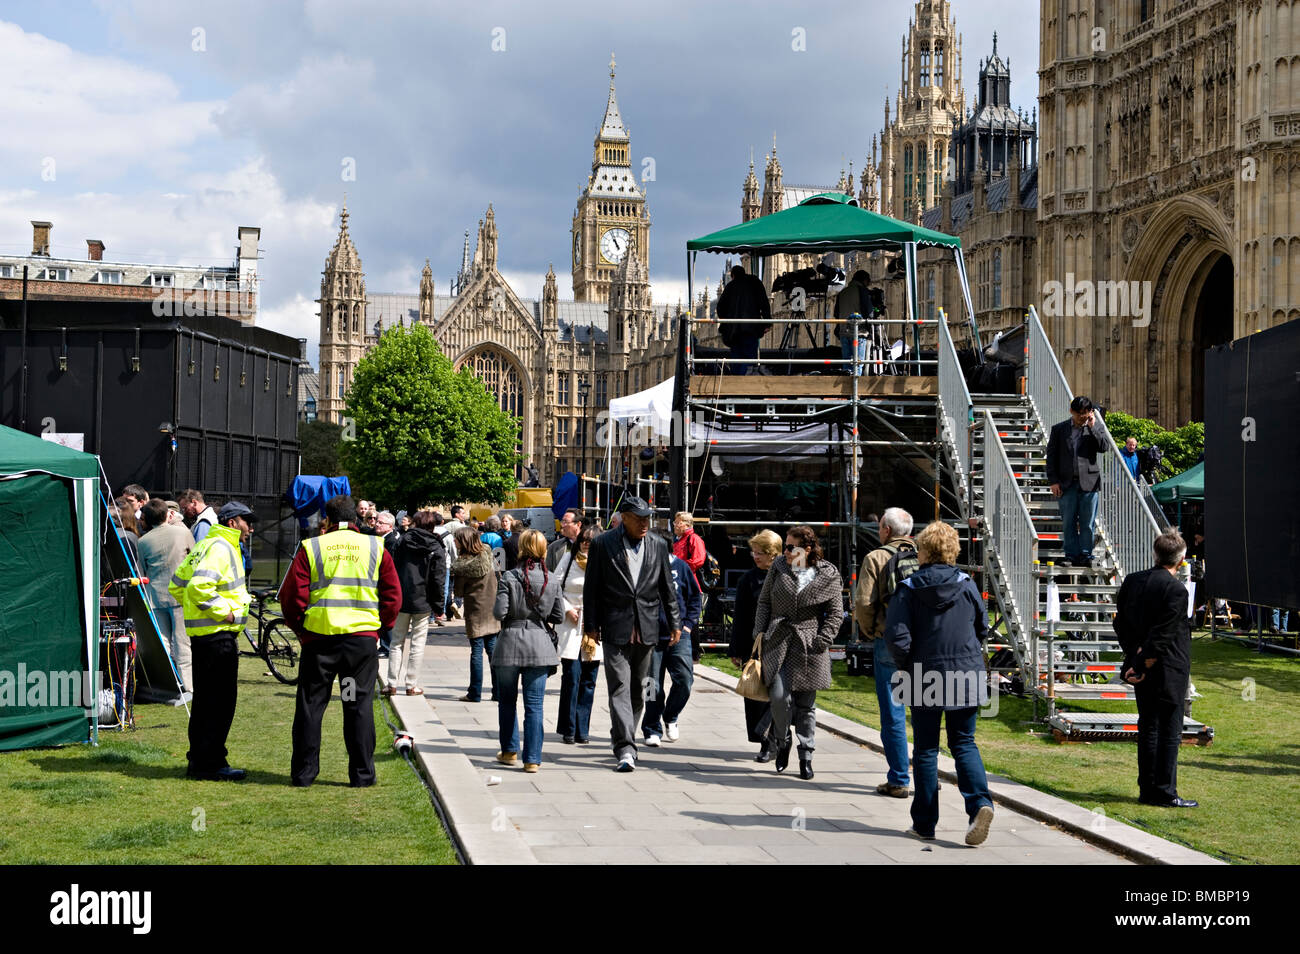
point(1156, 635)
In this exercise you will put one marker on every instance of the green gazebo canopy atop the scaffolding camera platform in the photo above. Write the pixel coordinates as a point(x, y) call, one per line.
point(822, 223)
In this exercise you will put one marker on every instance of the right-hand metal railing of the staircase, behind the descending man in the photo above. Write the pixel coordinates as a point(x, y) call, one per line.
point(1124, 518)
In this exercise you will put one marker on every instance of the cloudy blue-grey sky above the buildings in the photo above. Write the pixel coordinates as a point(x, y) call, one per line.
point(162, 125)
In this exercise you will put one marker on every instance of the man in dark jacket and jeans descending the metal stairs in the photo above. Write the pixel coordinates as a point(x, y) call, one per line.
point(1074, 475)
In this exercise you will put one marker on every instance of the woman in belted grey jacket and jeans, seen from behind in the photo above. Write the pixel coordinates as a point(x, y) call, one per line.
point(527, 599)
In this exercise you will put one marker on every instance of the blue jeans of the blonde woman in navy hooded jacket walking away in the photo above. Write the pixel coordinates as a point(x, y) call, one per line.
point(972, 780)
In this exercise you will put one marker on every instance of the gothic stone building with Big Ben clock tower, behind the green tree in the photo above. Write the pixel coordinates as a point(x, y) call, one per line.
point(554, 365)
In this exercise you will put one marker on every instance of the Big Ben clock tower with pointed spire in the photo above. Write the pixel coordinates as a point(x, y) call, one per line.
point(612, 214)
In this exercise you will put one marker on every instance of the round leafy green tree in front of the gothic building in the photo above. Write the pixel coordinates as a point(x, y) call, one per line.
point(424, 432)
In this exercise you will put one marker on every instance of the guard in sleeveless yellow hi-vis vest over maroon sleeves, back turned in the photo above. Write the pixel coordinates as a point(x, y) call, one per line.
point(341, 591)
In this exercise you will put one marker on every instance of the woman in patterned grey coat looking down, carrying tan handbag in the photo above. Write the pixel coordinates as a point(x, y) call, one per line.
point(800, 613)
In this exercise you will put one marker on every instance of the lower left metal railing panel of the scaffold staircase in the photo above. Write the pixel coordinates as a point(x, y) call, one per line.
point(1011, 536)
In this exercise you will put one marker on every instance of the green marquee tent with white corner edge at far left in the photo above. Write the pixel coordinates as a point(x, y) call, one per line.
point(49, 592)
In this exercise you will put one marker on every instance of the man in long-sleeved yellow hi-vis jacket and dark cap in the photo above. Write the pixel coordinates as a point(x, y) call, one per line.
point(214, 595)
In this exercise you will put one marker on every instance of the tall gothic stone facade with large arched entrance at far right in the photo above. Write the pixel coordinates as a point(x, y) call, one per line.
point(1171, 158)
